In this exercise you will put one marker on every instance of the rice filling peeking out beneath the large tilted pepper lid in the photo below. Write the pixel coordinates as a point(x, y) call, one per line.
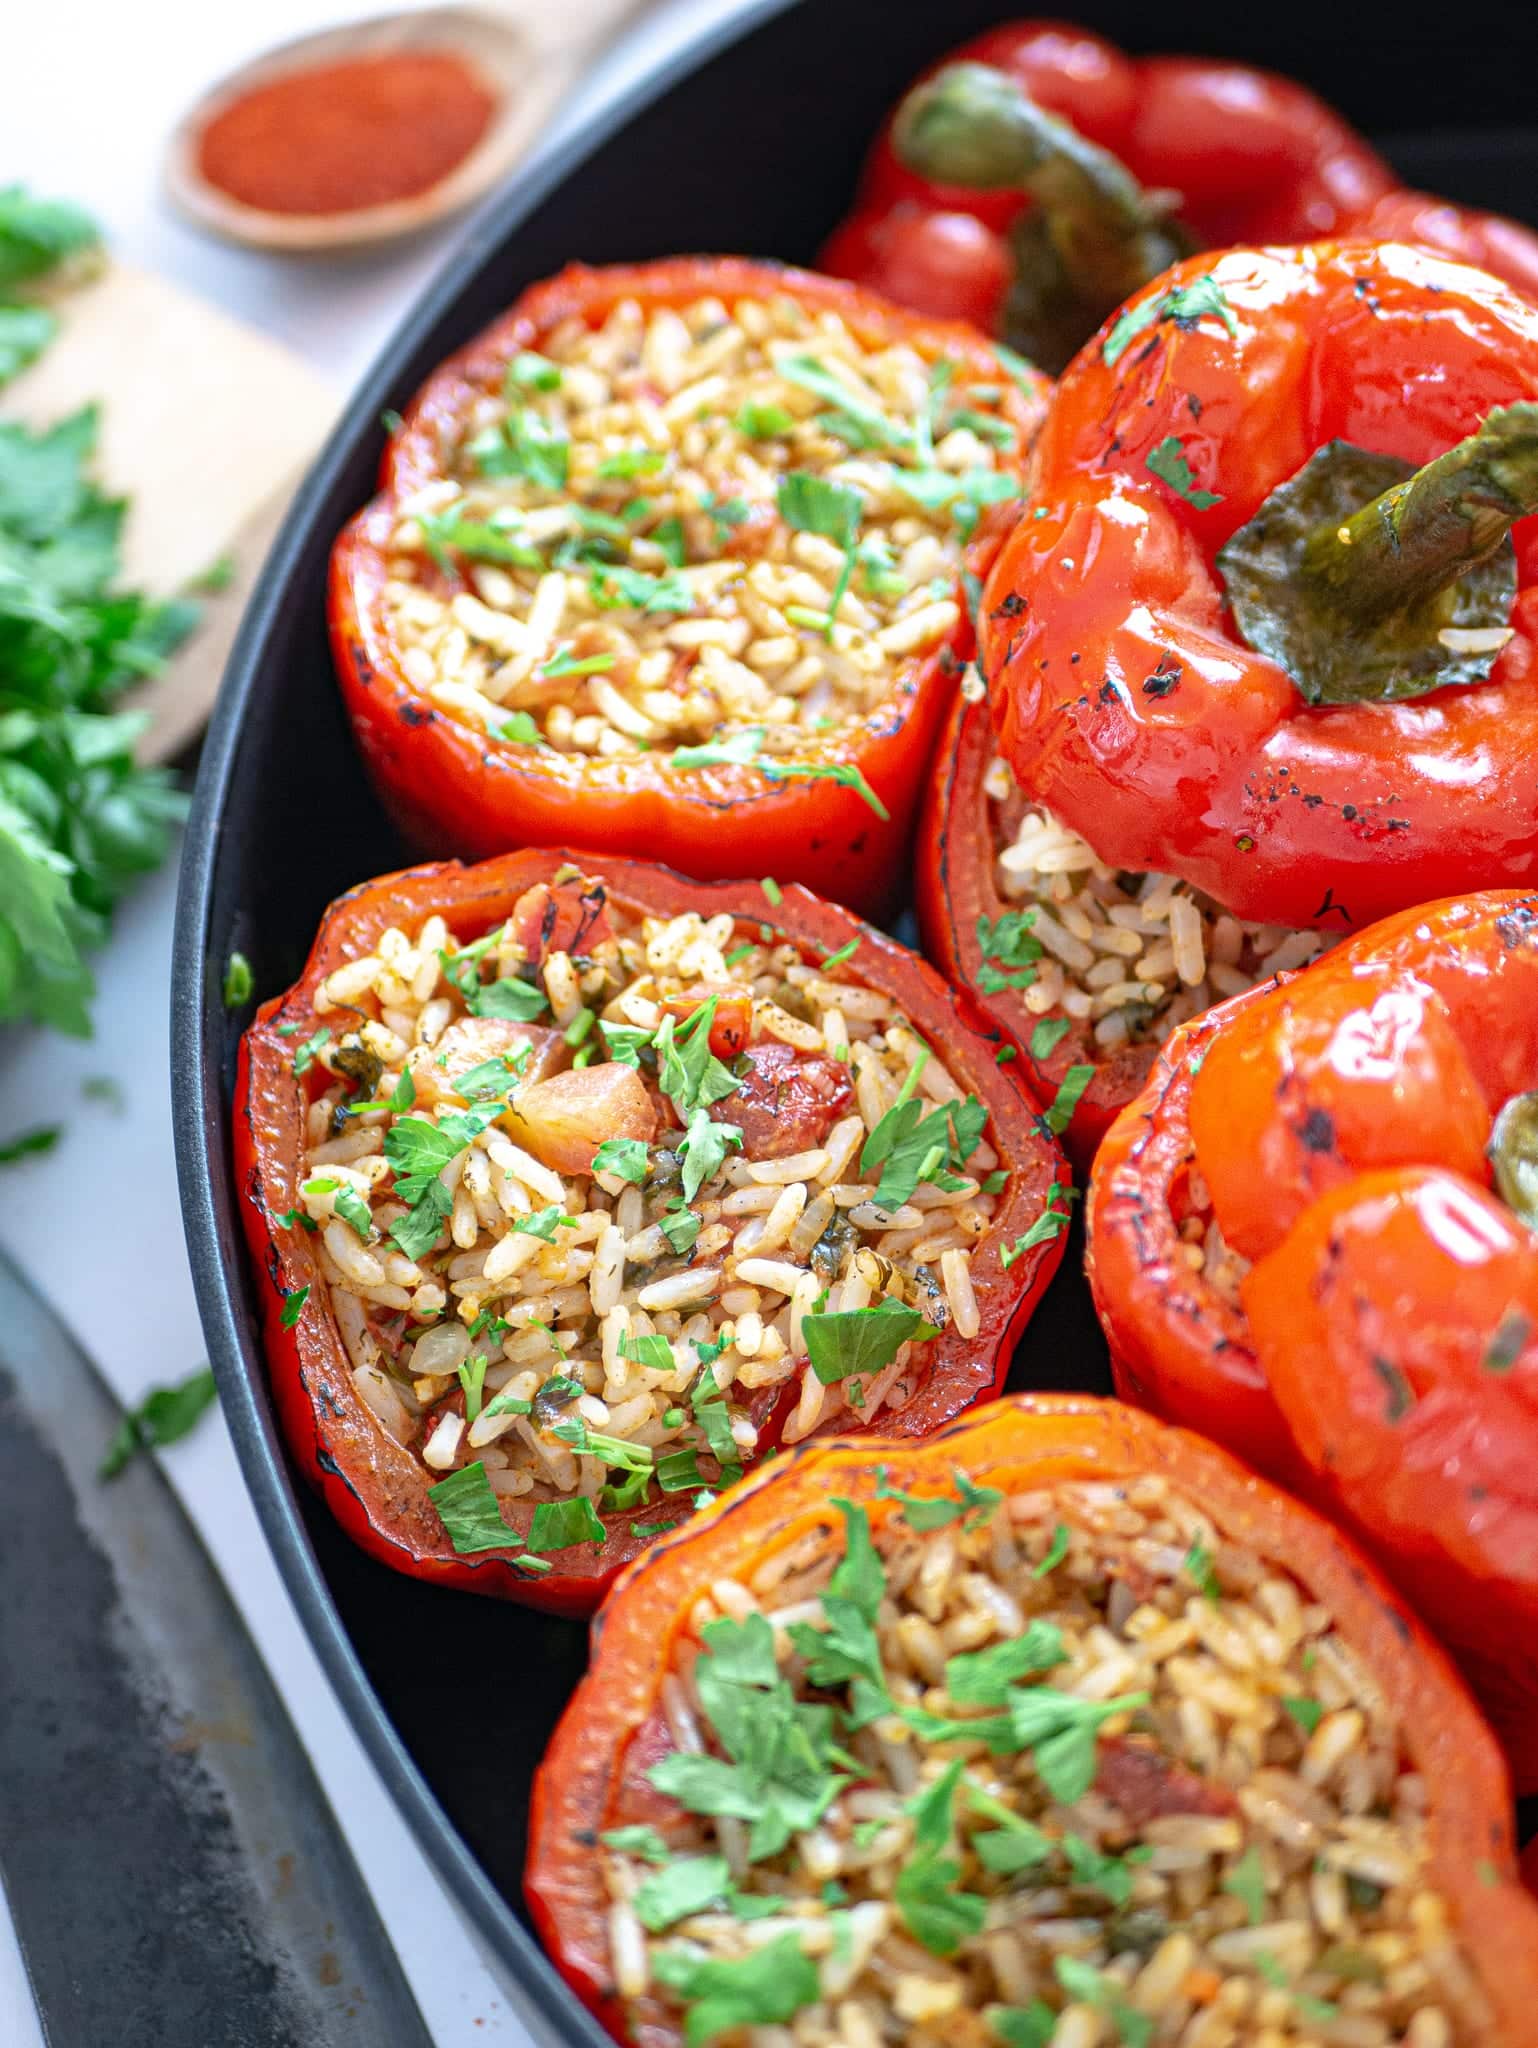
point(1129, 957)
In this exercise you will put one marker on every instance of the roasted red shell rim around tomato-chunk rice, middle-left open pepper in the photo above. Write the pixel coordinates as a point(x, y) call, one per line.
point(376, 1488)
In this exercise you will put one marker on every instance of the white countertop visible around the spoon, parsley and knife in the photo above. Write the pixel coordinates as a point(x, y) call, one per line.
point(101, 87)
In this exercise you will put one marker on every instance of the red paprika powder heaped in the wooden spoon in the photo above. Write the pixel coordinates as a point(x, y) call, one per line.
point(347, 136)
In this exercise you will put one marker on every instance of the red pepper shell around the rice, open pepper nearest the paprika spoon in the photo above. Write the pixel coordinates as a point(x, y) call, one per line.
point(458, 792)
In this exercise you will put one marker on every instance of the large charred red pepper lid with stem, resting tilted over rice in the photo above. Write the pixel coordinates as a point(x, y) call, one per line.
point(1355, 728)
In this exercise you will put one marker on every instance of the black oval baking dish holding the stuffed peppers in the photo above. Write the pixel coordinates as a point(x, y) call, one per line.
point(749, 144)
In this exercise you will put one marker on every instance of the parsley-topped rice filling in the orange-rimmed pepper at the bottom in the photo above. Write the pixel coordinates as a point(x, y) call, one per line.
point(1228, 1854)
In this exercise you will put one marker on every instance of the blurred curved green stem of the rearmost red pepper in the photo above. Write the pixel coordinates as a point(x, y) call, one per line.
point(1095, 234)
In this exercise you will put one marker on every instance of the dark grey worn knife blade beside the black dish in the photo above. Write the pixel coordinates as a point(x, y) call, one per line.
point(173, 1871)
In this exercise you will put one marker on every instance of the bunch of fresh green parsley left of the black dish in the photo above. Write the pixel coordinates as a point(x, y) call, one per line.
point(79, 818)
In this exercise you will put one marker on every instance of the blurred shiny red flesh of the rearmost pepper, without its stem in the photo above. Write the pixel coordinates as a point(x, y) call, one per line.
point(1252, 157)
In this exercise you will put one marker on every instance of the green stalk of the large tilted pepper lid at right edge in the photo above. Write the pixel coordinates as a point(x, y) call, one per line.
point(1410, 546)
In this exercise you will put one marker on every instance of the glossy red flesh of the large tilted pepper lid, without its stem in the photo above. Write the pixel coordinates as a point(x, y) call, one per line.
point(1127, 701)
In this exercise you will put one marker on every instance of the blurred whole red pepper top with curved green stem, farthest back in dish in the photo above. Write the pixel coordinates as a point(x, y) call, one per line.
point(1039, 177)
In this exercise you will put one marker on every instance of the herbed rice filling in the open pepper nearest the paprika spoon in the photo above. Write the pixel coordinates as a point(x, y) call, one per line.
point(632, 550)
